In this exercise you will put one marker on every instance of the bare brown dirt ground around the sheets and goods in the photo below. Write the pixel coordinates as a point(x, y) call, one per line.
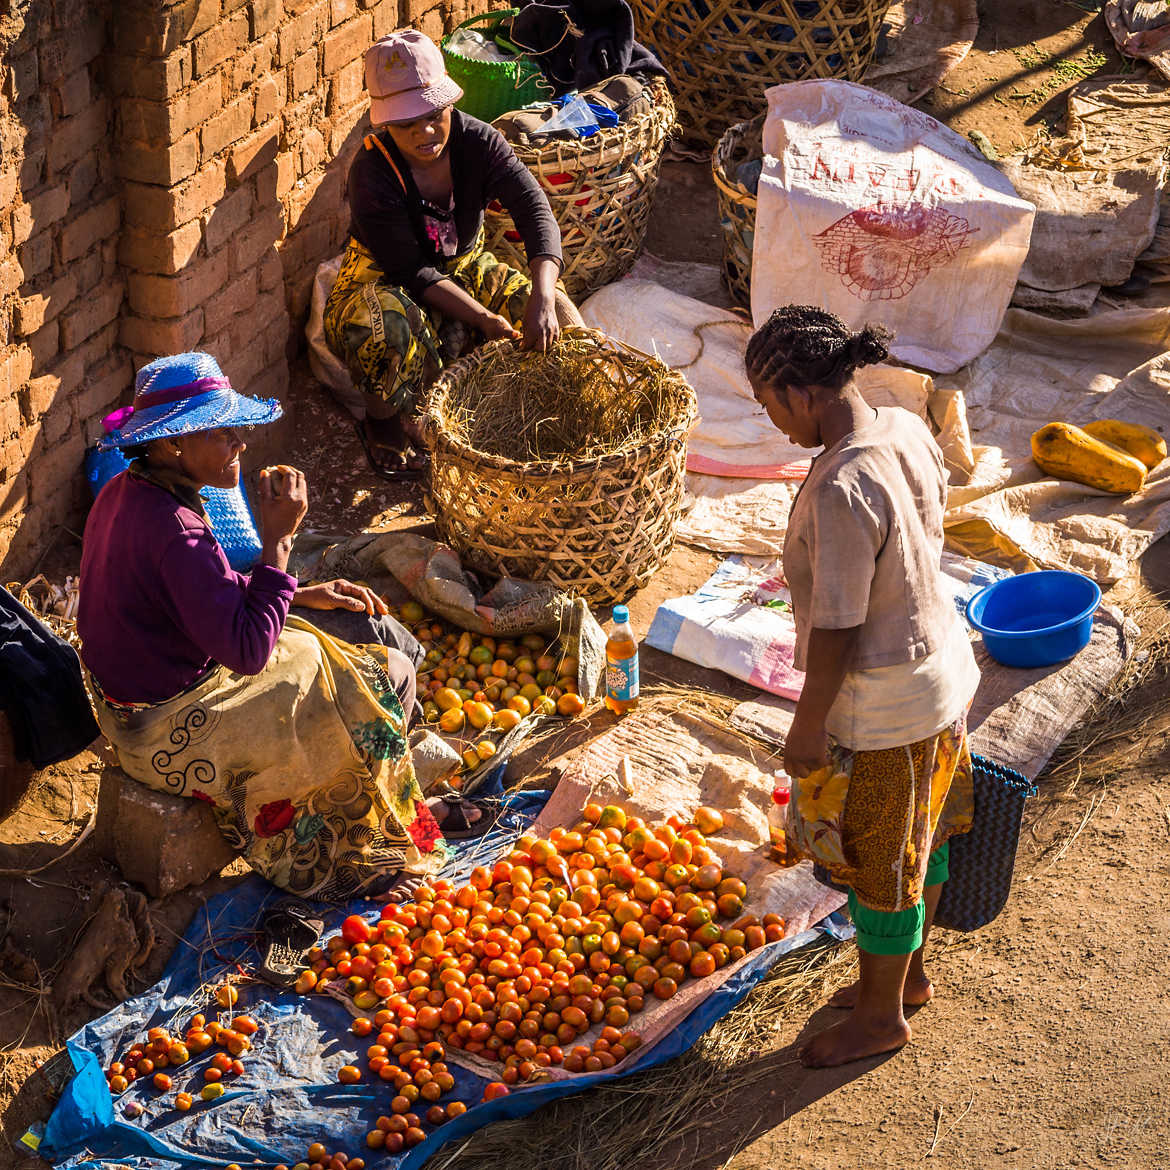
point(1047, 1044)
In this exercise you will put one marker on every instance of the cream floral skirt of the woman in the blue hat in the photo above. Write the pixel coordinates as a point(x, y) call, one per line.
point(306, 765)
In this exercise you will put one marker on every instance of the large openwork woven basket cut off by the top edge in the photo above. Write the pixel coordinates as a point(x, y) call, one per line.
point(724, 54)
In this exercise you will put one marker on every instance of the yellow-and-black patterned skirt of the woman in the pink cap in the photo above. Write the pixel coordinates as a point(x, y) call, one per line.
point(390, 343)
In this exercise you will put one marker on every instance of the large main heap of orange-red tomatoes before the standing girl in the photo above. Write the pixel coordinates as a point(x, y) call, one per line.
point(562, 937)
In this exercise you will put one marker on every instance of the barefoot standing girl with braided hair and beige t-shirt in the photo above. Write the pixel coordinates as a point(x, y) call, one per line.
point(878, 752)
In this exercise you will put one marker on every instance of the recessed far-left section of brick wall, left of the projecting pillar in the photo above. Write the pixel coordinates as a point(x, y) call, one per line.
point(61, 291)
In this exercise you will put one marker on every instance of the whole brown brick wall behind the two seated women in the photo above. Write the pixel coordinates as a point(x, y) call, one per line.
point(171, 175)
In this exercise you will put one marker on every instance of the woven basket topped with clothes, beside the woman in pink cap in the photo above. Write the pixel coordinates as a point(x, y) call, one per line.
point(601, 189)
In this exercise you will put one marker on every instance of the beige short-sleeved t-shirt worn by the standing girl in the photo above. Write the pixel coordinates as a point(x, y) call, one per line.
point(865, 543)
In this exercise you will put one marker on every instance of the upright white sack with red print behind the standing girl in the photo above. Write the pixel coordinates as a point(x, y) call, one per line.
point(878, 212)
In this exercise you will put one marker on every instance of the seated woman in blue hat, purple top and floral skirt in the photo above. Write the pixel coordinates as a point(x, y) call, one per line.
point(205, 683)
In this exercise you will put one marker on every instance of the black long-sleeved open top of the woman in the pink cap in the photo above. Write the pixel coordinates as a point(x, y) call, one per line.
point(484, 167)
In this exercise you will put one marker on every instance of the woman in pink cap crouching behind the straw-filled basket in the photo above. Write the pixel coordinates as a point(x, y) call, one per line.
point(416, 279)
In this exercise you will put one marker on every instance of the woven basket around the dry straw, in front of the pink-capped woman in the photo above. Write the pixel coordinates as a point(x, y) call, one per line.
point(597, 528)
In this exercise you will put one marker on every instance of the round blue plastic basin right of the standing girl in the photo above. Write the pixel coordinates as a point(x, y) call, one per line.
point(1036, 620)
